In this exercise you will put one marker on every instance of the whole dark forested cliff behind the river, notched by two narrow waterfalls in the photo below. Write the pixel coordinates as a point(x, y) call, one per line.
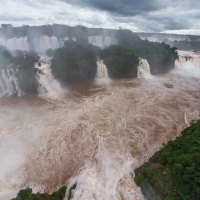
point(76, 62)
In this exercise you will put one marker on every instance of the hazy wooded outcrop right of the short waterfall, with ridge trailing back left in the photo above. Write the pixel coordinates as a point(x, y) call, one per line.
point(161, 57)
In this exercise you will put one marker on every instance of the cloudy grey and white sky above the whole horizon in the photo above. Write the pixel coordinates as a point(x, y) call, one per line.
point(171, 16)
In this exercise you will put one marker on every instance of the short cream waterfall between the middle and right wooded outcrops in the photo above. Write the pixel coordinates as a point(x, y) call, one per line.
point(143, 69)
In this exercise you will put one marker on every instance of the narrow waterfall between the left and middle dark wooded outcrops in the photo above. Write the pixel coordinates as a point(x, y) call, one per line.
point(102, 76)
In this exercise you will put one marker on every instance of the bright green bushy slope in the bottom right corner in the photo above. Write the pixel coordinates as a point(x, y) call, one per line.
point(174, 173)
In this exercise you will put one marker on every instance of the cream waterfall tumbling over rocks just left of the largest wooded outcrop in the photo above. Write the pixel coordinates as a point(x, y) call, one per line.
point(48, 86)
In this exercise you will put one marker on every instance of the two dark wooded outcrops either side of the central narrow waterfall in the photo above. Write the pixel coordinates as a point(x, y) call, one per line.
point(75, 63)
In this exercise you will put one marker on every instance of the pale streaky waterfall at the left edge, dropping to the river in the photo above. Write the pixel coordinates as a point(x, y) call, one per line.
point(8, 82)
